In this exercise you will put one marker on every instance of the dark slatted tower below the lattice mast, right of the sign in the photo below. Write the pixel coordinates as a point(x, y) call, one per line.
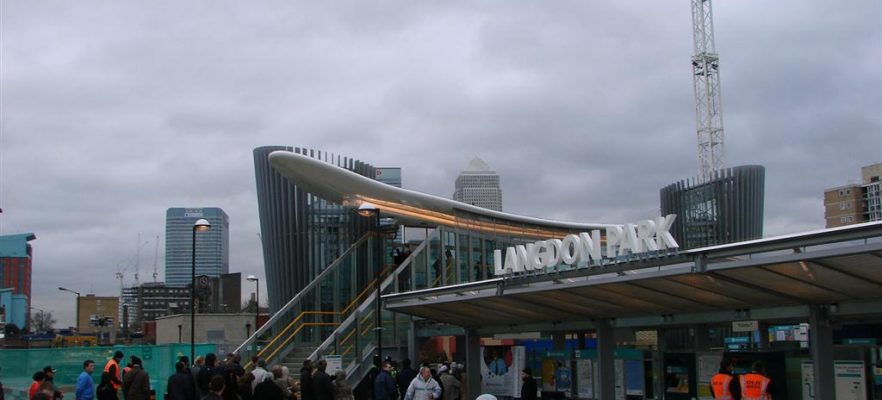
point(726, 208)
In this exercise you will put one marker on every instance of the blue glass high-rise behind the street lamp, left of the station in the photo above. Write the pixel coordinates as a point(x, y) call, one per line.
point(212, 246)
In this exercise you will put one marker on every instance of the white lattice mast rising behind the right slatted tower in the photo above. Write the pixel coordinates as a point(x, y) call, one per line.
point(708, 102)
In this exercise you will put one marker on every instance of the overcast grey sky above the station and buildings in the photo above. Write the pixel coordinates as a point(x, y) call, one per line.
point(114, 111)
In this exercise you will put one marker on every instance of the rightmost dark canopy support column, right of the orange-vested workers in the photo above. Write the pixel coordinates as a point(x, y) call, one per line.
point(821, 342)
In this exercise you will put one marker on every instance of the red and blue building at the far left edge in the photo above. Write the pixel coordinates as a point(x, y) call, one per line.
point(15, 266)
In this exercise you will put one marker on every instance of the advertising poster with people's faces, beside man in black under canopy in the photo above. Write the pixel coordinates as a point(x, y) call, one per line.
point(501, 370)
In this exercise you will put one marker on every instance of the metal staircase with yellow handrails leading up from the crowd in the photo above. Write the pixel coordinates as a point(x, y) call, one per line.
point(335, 315)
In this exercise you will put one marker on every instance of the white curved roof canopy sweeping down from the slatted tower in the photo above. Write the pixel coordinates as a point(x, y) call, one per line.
point(340, 185)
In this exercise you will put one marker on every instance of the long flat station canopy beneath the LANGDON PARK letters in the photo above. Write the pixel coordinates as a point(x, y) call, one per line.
point(774, 279)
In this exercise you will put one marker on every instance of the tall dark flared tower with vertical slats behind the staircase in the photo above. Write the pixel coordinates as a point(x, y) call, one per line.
point(301, 233)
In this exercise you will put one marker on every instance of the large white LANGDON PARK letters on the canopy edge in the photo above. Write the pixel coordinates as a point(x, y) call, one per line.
point(644, 236)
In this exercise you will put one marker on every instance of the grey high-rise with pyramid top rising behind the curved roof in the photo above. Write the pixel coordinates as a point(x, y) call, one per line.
point(478, 185)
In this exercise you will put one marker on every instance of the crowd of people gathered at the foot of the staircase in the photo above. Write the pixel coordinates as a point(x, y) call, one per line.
point(211, 378)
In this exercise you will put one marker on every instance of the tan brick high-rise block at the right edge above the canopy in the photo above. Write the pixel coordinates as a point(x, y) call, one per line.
point(855, 203)
